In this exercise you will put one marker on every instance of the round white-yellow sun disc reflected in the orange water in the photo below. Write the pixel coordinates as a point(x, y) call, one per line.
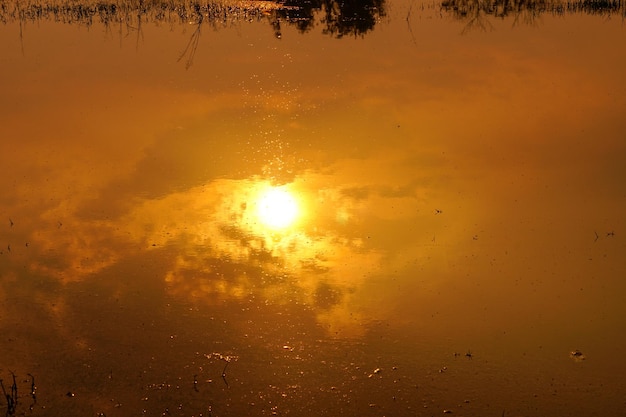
point(277, 208)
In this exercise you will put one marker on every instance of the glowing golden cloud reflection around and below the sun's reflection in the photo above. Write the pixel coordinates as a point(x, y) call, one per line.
point(223, 252)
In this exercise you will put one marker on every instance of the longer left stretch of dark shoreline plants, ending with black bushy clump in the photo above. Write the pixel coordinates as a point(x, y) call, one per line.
point(338, 18)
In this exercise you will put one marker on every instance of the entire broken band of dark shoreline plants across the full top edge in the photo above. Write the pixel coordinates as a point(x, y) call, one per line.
point(337, 18)
